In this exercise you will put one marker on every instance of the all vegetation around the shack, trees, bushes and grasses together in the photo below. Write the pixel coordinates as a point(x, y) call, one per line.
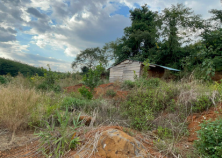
point(157, 108)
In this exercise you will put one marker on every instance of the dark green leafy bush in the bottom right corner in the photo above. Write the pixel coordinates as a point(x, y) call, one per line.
point(209, 143)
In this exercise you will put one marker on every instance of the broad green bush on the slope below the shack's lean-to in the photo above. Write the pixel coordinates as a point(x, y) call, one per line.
point(141, 106)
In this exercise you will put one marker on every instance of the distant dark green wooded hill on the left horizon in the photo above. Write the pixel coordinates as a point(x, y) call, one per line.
point(13, 67)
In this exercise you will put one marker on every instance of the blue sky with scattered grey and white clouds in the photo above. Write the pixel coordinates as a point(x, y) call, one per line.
point(41, 32)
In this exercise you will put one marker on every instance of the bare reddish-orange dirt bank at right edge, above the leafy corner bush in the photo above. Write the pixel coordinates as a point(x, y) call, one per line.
point(196, 119)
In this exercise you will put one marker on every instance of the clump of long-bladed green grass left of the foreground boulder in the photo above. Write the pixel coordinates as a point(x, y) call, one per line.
point(56, 141)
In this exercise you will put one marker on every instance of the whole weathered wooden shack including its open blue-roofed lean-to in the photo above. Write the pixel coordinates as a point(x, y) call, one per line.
point(126, 70)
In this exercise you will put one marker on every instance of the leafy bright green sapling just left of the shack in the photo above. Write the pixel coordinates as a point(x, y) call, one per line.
point(93, 77)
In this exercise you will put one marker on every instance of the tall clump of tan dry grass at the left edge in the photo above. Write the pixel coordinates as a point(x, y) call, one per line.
point(16, 106)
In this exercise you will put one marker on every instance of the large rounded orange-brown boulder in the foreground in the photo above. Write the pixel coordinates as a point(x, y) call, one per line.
point(114, 143)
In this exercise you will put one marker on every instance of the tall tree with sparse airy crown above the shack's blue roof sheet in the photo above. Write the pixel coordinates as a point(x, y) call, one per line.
point(179, 22)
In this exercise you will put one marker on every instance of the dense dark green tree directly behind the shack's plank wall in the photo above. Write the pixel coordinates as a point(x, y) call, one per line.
point(139, 39)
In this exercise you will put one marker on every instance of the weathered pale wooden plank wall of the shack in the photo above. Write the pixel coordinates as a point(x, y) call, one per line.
point(125, 71)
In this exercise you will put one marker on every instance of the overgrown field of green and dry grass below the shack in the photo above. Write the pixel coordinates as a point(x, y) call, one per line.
point(151, 106)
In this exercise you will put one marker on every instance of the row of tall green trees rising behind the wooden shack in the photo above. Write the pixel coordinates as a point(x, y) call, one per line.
point(176, 37)
